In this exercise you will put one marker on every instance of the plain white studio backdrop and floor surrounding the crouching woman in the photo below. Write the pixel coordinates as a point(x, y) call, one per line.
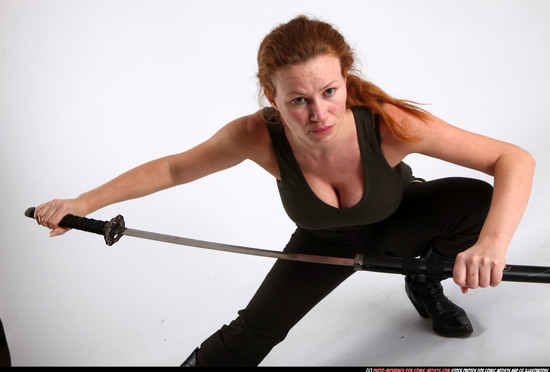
point(89, 89)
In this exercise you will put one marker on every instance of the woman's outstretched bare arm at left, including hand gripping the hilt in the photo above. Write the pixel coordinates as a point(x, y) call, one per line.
point(231, 145)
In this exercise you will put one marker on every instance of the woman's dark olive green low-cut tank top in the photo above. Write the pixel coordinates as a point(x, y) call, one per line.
point(384, 185)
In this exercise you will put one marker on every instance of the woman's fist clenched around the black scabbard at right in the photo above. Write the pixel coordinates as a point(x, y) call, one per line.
point(479, 266)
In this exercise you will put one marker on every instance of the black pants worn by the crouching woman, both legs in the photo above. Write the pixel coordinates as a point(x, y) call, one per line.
point(446, 215)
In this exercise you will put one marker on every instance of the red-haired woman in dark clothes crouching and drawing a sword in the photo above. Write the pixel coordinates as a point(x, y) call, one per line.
point(336, 144)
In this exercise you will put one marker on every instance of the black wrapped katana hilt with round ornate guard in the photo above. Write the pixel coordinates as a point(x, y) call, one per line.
point(111, 230)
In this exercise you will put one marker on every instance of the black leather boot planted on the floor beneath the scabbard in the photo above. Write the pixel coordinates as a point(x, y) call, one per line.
point(427, 296)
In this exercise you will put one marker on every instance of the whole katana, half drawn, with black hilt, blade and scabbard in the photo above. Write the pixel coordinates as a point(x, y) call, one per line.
point(114, 229)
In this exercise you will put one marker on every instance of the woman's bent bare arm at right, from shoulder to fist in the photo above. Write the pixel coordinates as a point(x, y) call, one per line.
point(512, 168)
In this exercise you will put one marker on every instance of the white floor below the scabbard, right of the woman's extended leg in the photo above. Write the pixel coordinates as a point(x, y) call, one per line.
point(511, 328)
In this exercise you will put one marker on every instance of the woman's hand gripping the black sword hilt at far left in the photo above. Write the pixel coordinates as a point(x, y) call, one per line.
point(51, 213)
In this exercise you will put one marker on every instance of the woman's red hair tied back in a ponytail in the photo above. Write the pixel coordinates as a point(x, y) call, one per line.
point(302, 39)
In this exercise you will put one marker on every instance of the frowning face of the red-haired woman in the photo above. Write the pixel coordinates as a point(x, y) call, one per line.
point(311, 98)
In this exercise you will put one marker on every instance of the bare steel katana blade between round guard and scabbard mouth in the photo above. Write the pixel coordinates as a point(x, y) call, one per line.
point(353, 262)
